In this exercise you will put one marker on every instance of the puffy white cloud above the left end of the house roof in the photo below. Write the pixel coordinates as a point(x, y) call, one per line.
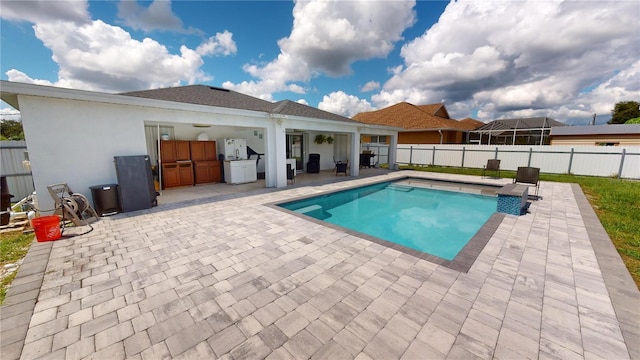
point(98, 56)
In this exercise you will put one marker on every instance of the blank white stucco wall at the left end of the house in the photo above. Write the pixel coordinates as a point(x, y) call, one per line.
point(74, 142)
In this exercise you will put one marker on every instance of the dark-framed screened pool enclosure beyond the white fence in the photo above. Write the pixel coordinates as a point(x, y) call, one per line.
point(521, 131)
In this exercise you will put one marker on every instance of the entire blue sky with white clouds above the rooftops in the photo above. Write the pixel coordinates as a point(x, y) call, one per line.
point(566, 60)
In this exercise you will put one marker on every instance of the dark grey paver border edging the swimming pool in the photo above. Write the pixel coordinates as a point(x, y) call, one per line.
point(462, 262)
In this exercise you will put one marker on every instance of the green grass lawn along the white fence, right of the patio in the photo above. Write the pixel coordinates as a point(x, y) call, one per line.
point(615, 201)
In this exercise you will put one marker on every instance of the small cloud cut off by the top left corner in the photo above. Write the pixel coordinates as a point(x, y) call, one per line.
point(39, 11)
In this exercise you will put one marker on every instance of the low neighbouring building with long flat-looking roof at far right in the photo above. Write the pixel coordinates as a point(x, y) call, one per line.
point(603, 135)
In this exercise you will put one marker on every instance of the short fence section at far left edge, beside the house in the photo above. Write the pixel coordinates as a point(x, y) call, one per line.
point(19, 180)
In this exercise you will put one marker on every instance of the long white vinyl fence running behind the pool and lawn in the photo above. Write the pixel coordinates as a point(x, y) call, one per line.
point(614, 161)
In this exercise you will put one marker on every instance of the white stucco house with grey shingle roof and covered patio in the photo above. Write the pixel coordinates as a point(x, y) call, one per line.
point(73, 135)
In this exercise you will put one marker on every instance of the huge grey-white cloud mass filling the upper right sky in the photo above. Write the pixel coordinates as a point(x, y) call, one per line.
point(502, 58)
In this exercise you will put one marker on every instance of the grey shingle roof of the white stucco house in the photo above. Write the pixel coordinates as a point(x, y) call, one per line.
point(213, 96)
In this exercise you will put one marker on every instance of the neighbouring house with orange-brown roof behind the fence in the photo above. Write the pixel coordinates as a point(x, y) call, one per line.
point(421, 124)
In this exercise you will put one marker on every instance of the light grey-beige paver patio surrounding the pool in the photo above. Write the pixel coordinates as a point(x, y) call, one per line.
point(235, 278)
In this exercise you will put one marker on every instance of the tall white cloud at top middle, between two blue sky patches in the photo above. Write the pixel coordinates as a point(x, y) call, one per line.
point(327, 37)
